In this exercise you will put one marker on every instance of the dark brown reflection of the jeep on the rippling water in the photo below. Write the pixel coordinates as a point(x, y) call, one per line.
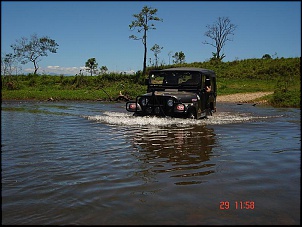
point(180, 153)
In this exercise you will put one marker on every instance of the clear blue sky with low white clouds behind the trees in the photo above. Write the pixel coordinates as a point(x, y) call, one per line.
point(100, 30)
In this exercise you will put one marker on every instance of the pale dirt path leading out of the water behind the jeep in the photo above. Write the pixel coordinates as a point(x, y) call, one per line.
point(242, 97)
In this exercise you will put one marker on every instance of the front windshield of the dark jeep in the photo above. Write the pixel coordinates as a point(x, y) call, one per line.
point(175, 78)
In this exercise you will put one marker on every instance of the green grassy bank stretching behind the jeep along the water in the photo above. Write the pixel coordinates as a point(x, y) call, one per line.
point(282, 76)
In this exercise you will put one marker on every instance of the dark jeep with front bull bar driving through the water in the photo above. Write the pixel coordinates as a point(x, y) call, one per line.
point(177, 92)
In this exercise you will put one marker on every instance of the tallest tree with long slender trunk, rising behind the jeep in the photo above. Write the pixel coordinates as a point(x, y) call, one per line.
point(142, 23)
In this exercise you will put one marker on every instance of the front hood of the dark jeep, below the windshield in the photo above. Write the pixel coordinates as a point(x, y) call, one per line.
point(182, 96)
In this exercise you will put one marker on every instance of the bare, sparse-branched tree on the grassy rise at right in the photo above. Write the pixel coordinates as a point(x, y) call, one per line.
point(220, 32)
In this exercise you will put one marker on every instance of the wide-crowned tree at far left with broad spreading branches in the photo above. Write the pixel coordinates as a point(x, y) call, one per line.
point(31, 50)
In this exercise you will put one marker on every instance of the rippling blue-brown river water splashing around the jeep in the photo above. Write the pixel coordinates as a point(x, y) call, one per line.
point(93, 163)
